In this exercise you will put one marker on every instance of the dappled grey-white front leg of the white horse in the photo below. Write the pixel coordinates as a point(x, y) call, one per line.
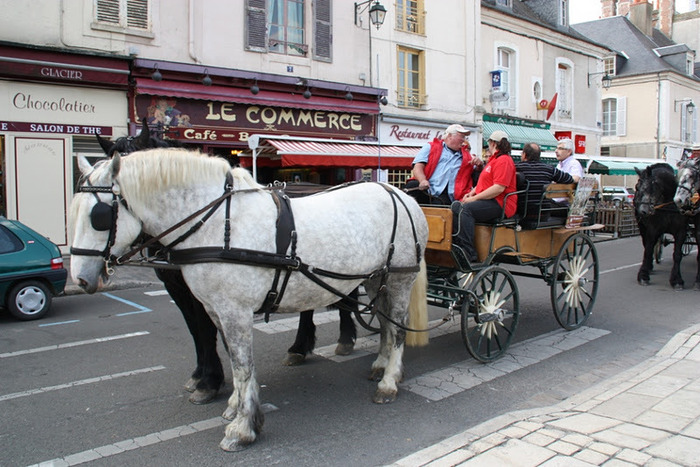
point(244, 404)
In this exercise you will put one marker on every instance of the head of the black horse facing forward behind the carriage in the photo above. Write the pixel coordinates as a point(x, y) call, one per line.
point(655, 188)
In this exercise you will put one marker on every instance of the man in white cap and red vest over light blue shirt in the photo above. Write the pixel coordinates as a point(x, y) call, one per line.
point(443, 168)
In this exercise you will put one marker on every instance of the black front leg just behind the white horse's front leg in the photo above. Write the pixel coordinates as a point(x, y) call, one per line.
point(208, 377)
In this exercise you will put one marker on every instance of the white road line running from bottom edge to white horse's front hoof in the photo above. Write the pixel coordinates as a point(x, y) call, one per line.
point(143, 441)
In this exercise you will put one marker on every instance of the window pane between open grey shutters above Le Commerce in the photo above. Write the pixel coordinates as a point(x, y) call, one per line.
point(286, 21)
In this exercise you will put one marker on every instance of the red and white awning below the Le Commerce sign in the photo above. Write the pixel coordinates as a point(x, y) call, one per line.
point(340, 154)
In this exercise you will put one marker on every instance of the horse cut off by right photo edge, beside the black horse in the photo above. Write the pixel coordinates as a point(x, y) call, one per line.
point(687, 199)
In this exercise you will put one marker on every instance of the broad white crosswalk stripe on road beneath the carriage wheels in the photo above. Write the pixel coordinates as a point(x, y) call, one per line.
point(451, 380)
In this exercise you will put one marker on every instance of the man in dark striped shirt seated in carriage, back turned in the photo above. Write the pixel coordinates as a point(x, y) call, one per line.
point(539, 174)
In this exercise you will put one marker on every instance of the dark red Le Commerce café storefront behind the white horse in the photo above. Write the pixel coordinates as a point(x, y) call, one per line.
point(217, 111)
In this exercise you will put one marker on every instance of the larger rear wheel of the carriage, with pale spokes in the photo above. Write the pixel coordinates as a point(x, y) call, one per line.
point(575, 281)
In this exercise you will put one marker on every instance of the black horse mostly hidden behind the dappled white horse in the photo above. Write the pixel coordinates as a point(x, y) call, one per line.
point(208, 376)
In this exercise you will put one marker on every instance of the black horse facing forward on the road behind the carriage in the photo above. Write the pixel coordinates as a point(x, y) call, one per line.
point(657, 214)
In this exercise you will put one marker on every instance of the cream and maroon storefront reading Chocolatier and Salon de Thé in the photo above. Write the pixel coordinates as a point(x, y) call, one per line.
point(52, 104)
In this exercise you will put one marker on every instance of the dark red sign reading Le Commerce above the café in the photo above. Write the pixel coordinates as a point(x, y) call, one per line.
point(212, 121)
